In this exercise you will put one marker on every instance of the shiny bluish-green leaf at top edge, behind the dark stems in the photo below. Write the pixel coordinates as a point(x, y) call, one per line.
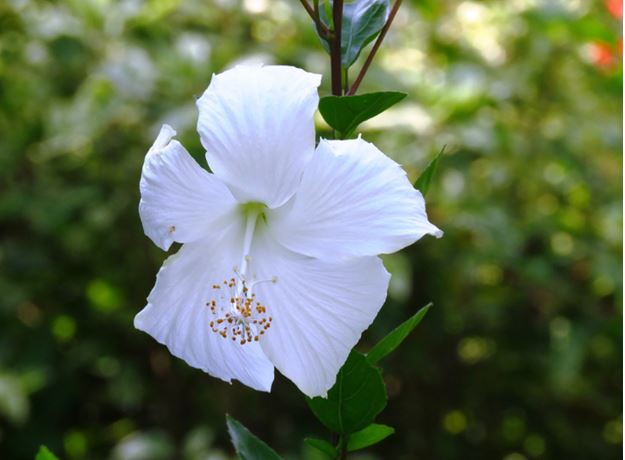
point(362, 21)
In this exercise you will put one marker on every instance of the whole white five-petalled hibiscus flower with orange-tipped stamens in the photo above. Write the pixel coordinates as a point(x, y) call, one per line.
point(279, 265)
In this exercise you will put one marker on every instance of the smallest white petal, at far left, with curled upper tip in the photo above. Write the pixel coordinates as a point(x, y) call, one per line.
point(180, 201)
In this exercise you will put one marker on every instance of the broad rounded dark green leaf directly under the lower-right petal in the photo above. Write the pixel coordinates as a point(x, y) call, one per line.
point(356, 398)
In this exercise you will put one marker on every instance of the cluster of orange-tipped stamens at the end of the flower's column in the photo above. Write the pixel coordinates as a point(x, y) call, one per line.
point(237, 314)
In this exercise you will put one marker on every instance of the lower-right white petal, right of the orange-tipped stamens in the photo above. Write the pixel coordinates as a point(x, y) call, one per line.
point(319, 311)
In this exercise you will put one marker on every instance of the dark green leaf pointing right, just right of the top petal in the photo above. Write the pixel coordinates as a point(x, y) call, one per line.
point(345, 113)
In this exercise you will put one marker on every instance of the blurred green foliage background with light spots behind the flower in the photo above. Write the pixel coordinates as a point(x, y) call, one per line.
point(519, 359)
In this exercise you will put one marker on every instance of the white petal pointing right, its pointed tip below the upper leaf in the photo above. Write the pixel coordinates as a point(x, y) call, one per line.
point(353, 201)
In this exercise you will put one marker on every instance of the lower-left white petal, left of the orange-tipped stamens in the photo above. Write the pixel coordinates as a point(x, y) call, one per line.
point(177, 316)
